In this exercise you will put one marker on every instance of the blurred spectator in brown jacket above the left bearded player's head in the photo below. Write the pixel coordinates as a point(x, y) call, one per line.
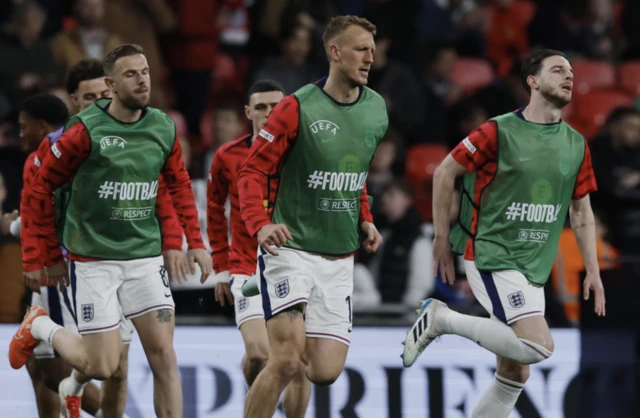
point(89, 39)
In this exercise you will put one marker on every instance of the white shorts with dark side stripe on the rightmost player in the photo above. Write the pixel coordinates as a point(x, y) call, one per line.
point(506, 294)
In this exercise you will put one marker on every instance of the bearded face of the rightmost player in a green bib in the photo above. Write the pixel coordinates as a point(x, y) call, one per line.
point(555, 82)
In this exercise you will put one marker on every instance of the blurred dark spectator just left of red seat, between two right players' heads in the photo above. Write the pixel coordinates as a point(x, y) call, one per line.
point(440, 92)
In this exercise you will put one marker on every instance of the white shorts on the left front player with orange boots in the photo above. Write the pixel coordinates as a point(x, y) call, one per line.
point(110, 289)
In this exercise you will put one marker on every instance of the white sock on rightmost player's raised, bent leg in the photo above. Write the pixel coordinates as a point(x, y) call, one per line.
point(492, 335)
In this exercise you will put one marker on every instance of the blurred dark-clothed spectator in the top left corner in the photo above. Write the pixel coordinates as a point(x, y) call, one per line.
point(27, 62)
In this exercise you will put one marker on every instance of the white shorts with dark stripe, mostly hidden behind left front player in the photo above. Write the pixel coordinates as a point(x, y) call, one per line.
point(61, 311)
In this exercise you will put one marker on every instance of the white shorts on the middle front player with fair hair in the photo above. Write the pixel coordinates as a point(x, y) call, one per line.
point(324, 283)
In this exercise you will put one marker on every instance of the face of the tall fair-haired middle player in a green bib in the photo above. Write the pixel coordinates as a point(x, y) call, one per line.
point(355, 49)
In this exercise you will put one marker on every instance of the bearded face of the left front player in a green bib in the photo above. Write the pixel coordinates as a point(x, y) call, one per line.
point(131, 81)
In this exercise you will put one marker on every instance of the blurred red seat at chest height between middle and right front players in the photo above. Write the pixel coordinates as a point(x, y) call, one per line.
point(420, 164)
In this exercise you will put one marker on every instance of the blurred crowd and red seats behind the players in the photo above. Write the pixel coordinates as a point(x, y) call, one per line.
point(443, 66)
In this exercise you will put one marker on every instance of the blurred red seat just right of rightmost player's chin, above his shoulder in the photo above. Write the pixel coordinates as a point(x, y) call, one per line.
point(592, 109)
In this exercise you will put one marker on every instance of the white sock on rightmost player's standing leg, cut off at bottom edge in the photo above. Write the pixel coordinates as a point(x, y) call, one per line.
point(499, 399)
